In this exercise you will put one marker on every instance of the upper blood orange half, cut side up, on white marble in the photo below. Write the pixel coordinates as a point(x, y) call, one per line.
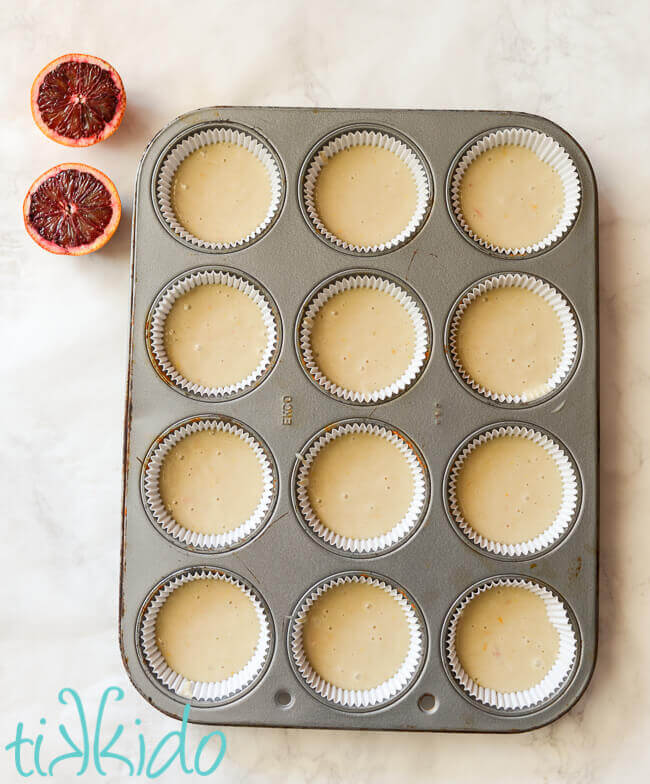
point(78, 100)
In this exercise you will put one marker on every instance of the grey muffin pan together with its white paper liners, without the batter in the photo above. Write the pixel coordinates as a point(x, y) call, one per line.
point(282, 557)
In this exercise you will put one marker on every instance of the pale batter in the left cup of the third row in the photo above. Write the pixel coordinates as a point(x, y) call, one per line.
point(211, 481)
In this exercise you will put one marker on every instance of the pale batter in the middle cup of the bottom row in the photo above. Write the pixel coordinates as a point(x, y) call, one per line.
point(356, 636)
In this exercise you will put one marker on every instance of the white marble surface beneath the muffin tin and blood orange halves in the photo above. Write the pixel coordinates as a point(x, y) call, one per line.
point(63, 327)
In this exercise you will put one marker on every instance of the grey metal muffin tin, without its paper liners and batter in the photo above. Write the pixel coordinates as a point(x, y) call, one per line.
point(436, 565)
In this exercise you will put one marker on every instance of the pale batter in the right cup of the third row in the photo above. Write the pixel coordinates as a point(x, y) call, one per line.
point(509, 489)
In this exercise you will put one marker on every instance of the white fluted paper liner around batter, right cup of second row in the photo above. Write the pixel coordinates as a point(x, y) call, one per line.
point(562, 310)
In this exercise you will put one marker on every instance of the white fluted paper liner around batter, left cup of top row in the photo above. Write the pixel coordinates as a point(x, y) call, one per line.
point(195, 142)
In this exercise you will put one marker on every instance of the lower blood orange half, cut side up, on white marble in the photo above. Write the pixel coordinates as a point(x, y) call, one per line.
point(72, 209)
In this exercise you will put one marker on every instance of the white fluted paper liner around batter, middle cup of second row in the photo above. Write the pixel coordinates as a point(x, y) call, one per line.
point(421, 347)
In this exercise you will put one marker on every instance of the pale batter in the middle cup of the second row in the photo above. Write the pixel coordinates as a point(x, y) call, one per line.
point(363, 339)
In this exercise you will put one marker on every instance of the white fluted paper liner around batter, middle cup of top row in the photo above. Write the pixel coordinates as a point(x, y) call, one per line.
point(372, 139)
